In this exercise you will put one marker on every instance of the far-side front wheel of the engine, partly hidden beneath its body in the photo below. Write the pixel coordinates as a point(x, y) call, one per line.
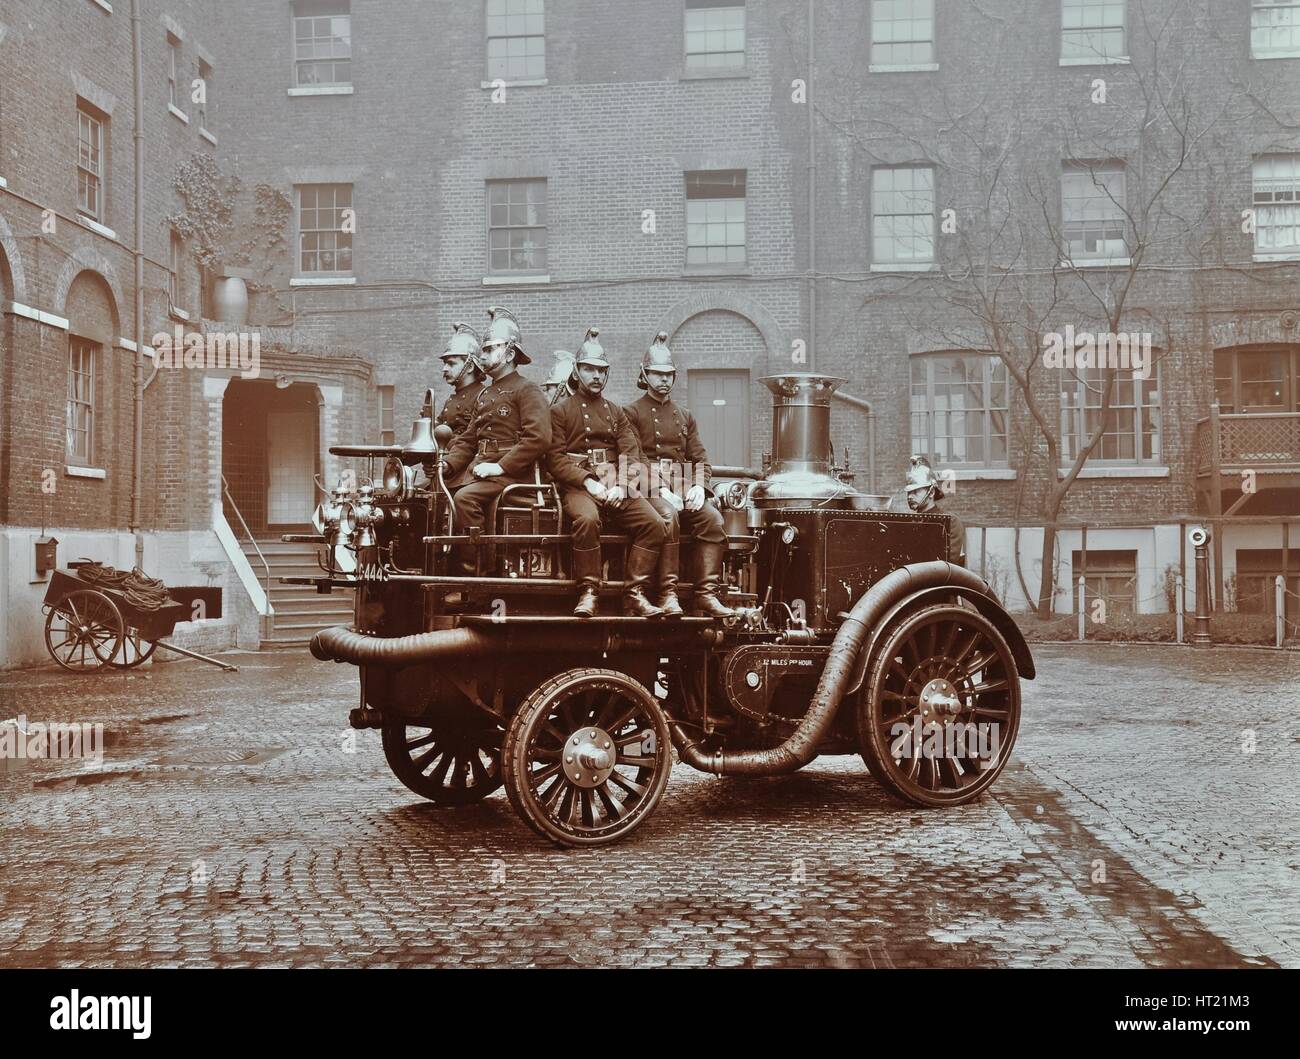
point(450, 765)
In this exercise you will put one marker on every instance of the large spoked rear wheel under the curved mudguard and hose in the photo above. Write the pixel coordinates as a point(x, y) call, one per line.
point(941, 710)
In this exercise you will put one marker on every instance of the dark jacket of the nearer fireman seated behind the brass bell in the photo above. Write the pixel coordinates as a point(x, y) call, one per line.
point(512, 415)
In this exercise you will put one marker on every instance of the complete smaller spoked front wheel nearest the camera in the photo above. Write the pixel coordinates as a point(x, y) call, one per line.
point(588, 757)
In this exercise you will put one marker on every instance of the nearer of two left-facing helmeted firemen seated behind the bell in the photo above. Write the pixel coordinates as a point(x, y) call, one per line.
point(509, 429)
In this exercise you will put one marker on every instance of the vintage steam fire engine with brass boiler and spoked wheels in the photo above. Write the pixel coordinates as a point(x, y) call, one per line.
point(852, 636)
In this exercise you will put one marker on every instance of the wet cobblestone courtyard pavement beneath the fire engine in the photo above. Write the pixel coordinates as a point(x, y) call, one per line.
point(229, 827)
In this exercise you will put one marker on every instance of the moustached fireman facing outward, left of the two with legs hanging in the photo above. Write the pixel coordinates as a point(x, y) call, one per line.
point(590, 435)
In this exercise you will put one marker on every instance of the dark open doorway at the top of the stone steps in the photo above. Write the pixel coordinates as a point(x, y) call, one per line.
point(270, 445)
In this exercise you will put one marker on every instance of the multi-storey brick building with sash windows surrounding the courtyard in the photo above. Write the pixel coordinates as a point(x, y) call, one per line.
point(765, 181)
